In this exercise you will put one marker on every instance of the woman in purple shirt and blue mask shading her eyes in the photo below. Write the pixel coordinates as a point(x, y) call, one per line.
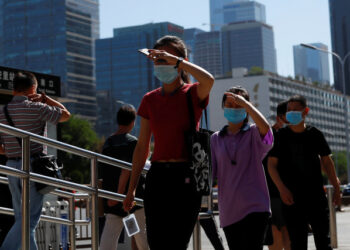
point(237, 154)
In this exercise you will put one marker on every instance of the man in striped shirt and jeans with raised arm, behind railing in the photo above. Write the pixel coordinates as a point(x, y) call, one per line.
point(29, 111)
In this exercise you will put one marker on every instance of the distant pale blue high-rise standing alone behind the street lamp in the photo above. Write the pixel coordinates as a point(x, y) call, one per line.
point(311, 64)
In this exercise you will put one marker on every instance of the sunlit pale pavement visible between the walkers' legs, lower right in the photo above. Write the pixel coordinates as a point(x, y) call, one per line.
point(343, 227)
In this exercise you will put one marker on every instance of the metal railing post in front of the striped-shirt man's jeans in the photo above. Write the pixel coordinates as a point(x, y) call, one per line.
point(25, 193)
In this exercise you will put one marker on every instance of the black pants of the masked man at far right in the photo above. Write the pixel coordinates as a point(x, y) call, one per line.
point(301, 214)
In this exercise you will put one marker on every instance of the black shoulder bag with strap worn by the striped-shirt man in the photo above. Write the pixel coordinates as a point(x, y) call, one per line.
point(42, 164)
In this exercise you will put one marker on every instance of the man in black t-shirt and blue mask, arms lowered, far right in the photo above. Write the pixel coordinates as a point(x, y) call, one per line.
point(295, 167)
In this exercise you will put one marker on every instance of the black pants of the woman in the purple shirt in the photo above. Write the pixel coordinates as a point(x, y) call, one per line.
point(248, 233)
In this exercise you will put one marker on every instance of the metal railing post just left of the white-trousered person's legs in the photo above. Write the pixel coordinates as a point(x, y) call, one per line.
point(94, 202)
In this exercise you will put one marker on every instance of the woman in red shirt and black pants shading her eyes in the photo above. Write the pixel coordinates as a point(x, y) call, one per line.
point(171, 202)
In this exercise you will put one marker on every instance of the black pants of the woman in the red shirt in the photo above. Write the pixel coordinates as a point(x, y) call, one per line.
point(171, 206)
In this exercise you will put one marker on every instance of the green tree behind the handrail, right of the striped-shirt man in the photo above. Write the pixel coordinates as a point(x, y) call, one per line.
point(77, 132)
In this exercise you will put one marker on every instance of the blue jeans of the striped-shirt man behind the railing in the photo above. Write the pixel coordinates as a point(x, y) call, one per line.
point(13, 239)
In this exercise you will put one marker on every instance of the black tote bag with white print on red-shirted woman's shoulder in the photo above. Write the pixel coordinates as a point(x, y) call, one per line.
point(198, 143)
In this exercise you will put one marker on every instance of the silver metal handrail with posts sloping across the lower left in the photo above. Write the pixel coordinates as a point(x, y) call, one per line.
point(91, 190)
